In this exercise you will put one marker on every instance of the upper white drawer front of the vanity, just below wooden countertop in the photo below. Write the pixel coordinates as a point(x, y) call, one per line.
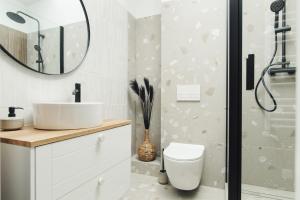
point(62, 167)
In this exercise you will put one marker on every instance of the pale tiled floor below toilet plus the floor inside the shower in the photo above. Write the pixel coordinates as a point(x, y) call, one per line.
point(145, 187)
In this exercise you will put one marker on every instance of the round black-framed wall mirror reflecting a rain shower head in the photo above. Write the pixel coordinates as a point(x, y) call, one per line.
point(47, 36)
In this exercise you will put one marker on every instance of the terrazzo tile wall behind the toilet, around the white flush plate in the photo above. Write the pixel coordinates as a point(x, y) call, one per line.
point(194, 52)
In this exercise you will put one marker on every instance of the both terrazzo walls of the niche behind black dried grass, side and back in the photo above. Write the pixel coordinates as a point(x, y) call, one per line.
point(144, 39)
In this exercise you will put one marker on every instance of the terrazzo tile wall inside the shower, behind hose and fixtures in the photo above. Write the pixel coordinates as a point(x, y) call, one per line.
point(268, 139)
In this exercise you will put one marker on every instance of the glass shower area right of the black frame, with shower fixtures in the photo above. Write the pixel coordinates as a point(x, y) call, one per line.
point(269, 99)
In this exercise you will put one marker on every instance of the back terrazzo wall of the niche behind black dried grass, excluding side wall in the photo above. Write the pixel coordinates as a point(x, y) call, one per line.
point(148, 64)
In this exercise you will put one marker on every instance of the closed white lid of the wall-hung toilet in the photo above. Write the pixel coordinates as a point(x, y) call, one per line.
point(184, 152)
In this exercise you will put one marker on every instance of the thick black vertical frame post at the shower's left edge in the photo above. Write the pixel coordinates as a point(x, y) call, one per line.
point(234, 99)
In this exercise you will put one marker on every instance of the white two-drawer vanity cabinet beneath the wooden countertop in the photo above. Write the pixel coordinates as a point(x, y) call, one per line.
point(91, 167)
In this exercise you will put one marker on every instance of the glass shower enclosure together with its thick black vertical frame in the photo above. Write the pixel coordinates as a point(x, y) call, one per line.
point(262, 99)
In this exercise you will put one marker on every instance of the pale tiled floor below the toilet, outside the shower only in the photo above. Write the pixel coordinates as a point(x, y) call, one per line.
point(147, 188)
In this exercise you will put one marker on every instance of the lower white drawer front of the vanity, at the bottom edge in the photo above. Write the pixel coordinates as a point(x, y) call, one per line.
point(110, 185)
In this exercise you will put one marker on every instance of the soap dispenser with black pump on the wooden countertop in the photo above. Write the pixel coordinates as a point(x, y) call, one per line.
point(13, 122)
